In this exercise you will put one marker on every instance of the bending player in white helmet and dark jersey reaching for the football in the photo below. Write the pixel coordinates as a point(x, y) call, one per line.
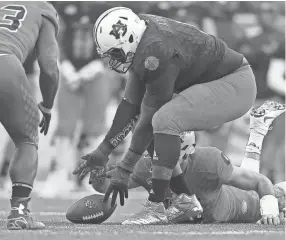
point(214, 85)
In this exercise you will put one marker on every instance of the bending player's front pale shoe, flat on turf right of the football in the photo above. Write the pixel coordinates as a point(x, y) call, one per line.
point(152, 213)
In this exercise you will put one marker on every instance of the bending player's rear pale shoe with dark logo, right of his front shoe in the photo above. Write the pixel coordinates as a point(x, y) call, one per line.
point(184, 208)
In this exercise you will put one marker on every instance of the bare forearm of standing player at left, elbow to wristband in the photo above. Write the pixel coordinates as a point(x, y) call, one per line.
point(49, 83)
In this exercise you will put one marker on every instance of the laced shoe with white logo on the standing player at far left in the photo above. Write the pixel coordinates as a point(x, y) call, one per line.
point(20, 217)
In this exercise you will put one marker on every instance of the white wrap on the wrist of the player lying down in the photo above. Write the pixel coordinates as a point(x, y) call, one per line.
point(269, 205)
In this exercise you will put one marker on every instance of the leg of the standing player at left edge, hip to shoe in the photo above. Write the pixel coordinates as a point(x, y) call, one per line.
point(20, 117)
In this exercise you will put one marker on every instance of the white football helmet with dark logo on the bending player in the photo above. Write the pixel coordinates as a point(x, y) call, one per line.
point(117, 33)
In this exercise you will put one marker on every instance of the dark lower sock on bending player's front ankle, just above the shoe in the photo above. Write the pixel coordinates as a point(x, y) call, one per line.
point(159, 190)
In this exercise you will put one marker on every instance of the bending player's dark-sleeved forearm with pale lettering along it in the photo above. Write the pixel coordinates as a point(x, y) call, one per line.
point(125, 119)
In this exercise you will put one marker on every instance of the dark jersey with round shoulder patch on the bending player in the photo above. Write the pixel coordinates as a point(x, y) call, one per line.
point(196, 55)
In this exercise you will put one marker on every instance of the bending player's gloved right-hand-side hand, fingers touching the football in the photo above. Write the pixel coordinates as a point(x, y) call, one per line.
point(118, 185)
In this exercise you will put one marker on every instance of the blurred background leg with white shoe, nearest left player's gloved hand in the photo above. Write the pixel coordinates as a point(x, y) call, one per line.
point(68, 114)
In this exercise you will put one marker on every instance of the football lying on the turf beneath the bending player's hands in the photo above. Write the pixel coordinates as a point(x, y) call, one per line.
point(90, 210)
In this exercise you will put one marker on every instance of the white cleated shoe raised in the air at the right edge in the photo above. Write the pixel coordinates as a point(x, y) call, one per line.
point(261, 118)
